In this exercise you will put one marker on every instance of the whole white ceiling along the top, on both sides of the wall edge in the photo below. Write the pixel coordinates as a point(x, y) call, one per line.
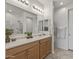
point(56, 2)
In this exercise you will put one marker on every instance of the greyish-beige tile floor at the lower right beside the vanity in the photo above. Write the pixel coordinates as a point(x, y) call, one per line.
point(61, 54)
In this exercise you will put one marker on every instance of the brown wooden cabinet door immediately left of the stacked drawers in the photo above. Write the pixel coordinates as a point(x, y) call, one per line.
point(33, 53)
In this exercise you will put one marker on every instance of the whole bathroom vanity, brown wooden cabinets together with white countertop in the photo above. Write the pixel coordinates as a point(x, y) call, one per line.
point(34, 48)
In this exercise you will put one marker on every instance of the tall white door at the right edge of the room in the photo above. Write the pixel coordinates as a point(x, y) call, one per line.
point(70, 29)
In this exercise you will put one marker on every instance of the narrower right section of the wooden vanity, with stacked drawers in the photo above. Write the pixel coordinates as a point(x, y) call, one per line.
point(45, 47)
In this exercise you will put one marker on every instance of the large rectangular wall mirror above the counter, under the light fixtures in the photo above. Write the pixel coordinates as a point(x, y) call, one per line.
point(19, 20)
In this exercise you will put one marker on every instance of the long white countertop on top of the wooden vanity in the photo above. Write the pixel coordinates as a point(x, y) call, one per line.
point(19, 42)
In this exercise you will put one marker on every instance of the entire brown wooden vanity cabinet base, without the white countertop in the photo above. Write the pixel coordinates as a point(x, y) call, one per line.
point(34, 50)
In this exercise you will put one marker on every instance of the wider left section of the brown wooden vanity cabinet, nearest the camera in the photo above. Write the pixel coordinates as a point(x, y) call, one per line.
point(28, 51)
